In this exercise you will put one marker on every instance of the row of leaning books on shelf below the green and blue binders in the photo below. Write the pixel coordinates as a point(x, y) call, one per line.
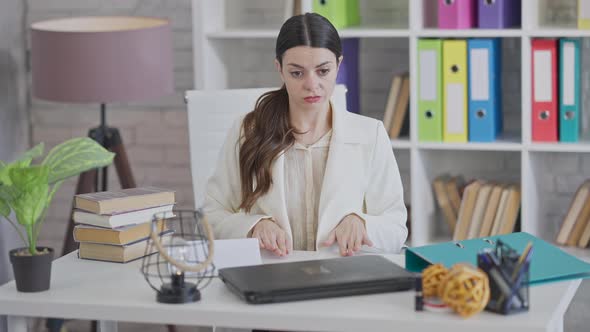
point(479, 208)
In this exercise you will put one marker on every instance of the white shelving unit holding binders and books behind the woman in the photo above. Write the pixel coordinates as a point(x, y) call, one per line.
point(225, 31)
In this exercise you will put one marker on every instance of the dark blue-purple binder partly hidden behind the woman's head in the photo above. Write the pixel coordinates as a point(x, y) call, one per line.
point(349, 73)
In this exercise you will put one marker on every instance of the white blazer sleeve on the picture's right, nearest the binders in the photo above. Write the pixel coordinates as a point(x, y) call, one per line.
point(385, 213)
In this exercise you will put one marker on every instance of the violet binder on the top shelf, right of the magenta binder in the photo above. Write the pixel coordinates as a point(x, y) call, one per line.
point(499, 14)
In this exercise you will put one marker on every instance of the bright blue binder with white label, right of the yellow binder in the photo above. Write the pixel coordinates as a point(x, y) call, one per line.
point(485, 98)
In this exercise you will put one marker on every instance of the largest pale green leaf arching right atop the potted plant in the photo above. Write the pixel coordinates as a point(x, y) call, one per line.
point(75, 156)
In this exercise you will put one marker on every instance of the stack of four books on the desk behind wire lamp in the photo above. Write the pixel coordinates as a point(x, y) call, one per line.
point(114, 225)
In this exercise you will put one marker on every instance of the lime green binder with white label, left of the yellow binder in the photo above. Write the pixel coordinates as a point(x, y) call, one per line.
point(430, 94)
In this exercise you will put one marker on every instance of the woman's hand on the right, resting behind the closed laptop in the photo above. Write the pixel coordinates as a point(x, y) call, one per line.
point(350, 234)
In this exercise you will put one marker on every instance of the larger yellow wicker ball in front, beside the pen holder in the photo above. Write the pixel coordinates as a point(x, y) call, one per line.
point(465, 289)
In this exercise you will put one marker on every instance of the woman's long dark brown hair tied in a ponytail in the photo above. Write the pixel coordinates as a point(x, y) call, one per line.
point(266, 131)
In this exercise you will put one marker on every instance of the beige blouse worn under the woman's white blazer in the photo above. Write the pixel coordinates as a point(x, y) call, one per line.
point(304, 175)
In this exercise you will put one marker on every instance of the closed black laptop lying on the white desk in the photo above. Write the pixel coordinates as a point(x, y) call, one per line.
point(325, 273)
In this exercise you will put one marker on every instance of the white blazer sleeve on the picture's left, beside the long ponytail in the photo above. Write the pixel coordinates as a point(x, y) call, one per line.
point(223, 193)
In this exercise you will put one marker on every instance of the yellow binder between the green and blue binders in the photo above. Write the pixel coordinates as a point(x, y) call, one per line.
point(455, 90)
